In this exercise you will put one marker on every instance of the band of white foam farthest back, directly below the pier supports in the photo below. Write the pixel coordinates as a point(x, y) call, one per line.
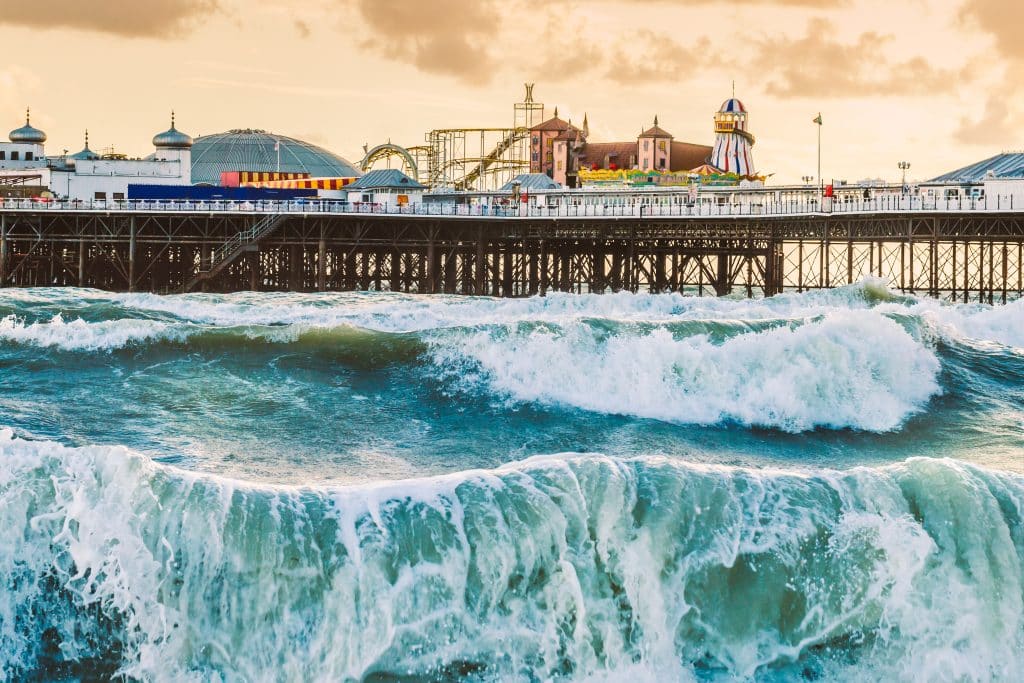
point(181, 316)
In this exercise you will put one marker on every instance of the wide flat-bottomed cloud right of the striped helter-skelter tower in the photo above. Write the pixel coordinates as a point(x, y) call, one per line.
point(818, 66)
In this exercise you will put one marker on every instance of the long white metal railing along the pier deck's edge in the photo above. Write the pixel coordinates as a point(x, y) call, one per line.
point(588, 207)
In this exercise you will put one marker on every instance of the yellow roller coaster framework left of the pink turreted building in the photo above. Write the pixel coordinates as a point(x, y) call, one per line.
point(478, 159)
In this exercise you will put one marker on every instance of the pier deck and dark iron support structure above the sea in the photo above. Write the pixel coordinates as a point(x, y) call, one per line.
point(962, 252)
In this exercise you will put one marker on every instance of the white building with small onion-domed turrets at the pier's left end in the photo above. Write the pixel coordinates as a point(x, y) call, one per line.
point(89, 176)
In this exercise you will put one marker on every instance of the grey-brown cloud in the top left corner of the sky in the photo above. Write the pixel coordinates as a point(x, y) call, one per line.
point(133, 19)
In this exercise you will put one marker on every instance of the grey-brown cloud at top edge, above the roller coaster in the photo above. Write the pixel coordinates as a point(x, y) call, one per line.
point(445, 37)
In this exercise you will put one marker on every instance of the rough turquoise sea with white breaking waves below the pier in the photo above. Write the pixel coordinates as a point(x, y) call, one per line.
point(379, 487)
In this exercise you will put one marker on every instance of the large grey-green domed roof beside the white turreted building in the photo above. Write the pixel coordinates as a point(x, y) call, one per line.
point(249, 150)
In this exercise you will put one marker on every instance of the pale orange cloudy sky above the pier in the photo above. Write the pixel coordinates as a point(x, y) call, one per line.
point(936, 83)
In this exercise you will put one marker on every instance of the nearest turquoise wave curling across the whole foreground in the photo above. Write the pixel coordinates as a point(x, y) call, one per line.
point(558, 568)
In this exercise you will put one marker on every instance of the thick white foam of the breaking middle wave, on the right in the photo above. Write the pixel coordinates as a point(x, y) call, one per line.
point(849, 369)
